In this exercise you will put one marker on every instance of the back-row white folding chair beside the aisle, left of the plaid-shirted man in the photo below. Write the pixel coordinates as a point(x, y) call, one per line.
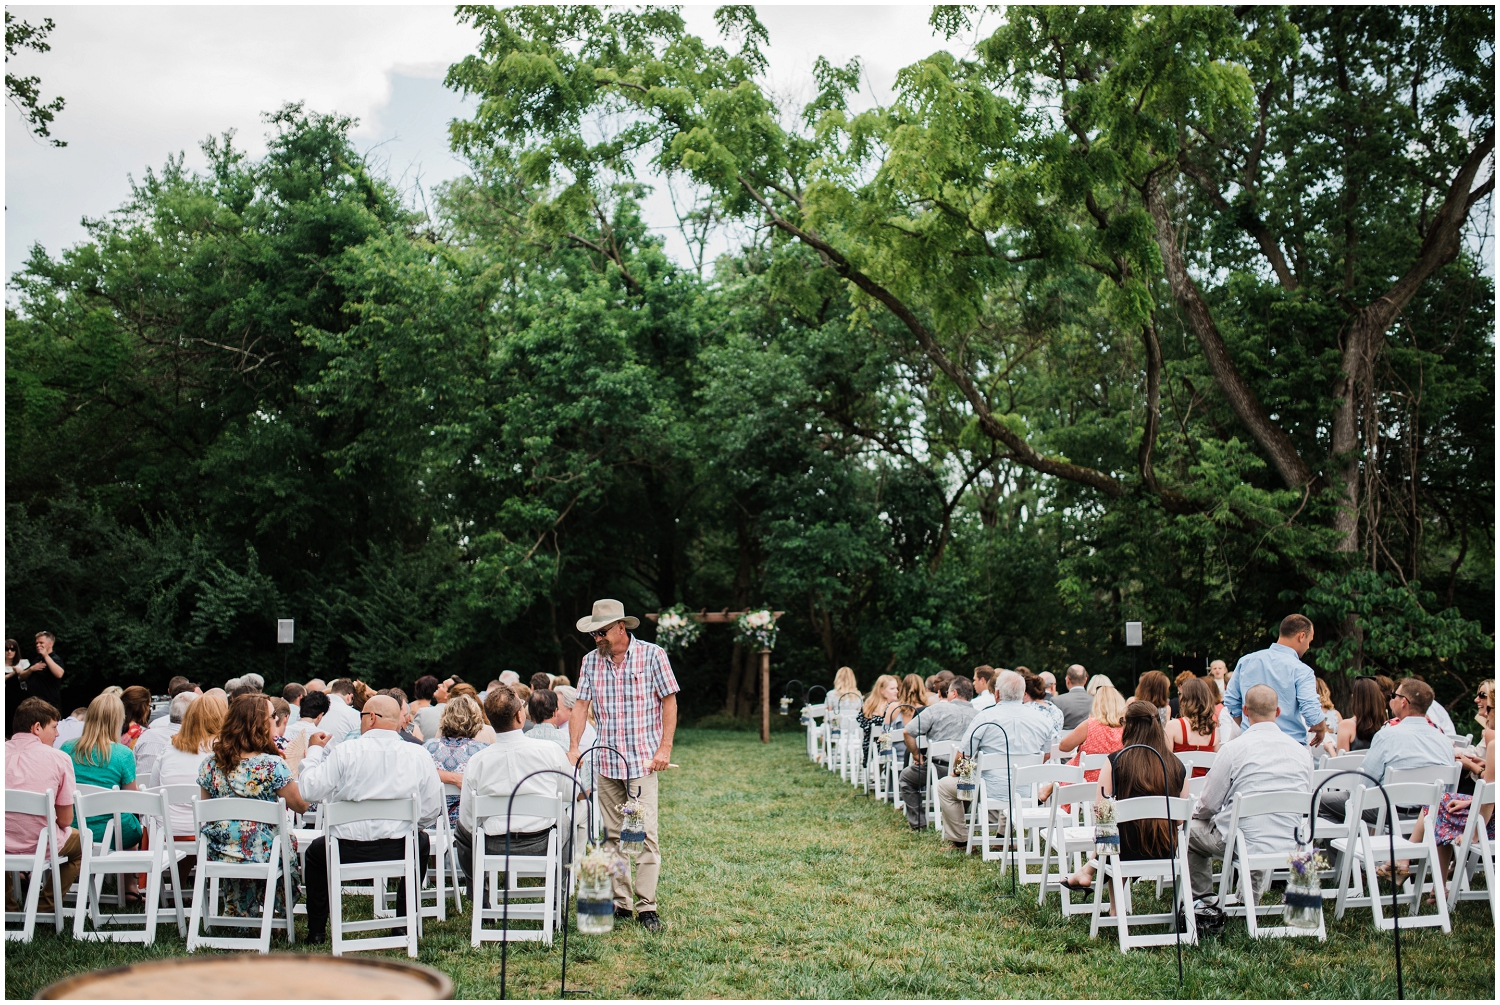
point(502, 880)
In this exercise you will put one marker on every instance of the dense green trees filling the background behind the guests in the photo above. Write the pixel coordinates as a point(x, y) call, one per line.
point(1162, 314)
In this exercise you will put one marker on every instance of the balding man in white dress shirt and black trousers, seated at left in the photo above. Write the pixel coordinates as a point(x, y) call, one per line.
point(377, 766)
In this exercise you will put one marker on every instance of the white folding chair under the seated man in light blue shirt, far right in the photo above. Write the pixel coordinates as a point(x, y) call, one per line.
point(1364, 847)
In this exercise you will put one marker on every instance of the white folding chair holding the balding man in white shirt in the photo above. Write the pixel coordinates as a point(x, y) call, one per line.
point(338, 814)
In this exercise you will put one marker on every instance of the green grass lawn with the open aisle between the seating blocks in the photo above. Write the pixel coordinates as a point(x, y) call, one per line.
point(781, 881)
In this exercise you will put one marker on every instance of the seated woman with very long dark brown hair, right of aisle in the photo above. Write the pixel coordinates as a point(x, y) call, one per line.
point(1133, 773)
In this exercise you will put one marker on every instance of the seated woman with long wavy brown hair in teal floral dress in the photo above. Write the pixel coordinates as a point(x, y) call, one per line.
point(245, 764)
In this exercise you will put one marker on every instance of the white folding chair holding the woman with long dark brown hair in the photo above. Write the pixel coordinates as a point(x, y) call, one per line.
point(1124, 874)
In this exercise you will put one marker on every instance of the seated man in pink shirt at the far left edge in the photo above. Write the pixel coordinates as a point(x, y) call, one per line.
point(32, 764)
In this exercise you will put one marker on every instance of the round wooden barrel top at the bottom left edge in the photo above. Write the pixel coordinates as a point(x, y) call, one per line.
point(280, 976)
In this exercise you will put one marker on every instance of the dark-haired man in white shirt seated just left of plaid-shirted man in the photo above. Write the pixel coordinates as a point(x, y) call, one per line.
point(497, 770)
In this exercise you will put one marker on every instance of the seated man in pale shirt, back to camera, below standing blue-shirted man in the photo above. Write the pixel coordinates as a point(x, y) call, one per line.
point(1261, 760)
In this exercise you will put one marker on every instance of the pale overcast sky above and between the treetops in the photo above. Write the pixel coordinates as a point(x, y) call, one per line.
point(145, 83)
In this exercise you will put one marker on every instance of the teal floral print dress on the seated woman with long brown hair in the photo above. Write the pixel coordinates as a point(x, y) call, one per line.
point(257, 778)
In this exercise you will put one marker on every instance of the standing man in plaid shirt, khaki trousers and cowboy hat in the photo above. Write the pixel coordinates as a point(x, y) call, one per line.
point(631, 688)
